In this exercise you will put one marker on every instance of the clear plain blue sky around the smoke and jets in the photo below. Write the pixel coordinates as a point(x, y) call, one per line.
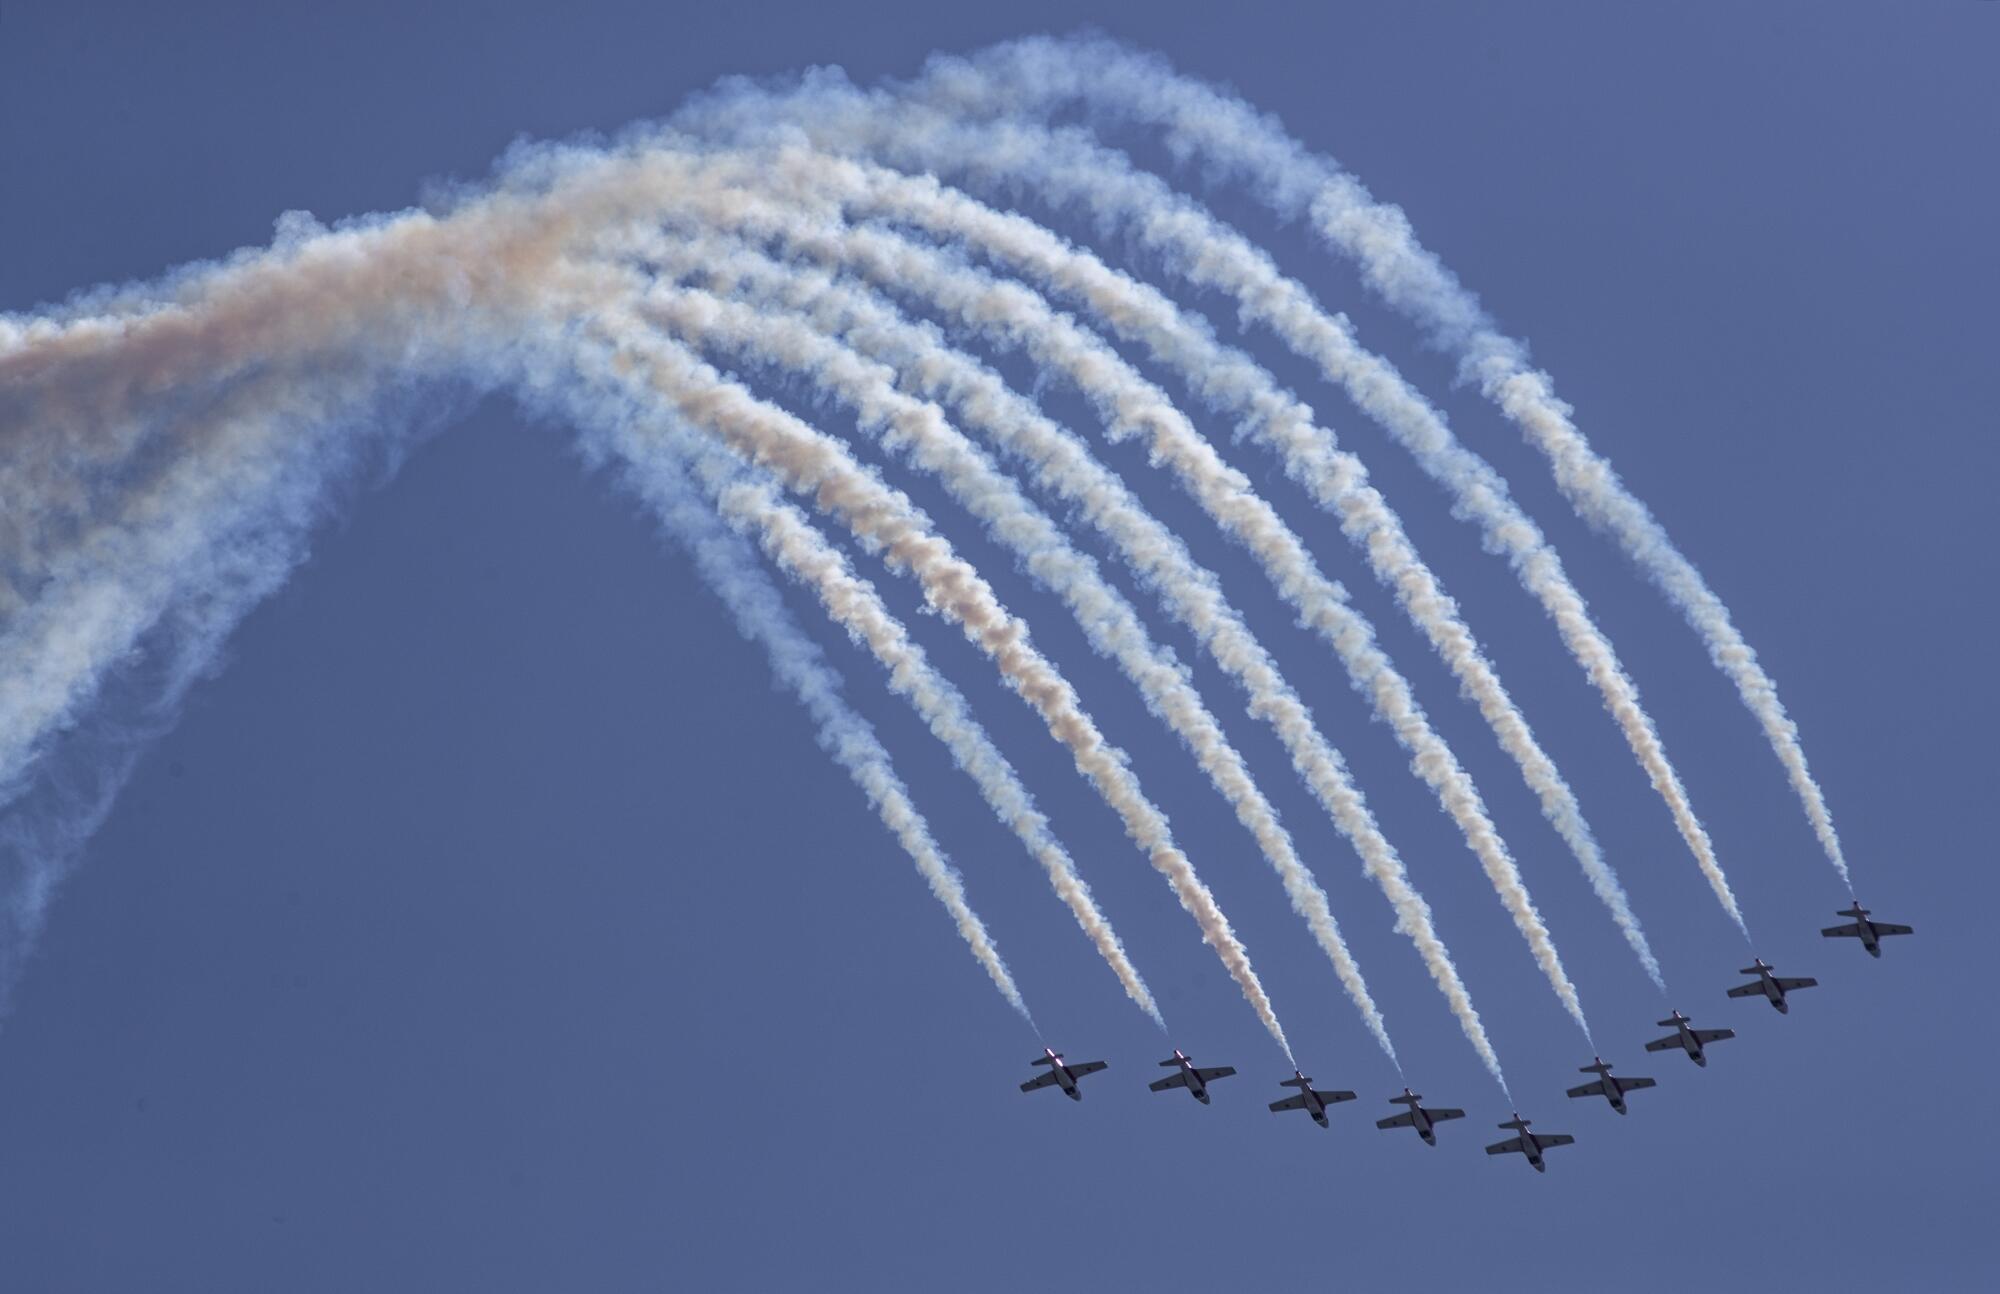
point(491, 923)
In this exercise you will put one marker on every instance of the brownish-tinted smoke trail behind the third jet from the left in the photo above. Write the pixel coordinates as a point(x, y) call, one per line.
point(889, 525)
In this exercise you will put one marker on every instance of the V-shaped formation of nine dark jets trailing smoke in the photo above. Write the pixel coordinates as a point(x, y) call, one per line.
point(1425, 1119)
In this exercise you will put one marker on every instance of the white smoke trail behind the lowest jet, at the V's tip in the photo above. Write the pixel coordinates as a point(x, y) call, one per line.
point(1067, 469)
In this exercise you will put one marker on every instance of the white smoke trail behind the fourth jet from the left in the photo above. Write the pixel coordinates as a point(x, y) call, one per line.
point(921, 433)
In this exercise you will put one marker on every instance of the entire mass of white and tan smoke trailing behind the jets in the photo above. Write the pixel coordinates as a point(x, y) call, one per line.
point(167, 449)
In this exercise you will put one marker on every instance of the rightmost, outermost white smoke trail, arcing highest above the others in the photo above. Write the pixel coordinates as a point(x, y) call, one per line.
point(1233, 141)
